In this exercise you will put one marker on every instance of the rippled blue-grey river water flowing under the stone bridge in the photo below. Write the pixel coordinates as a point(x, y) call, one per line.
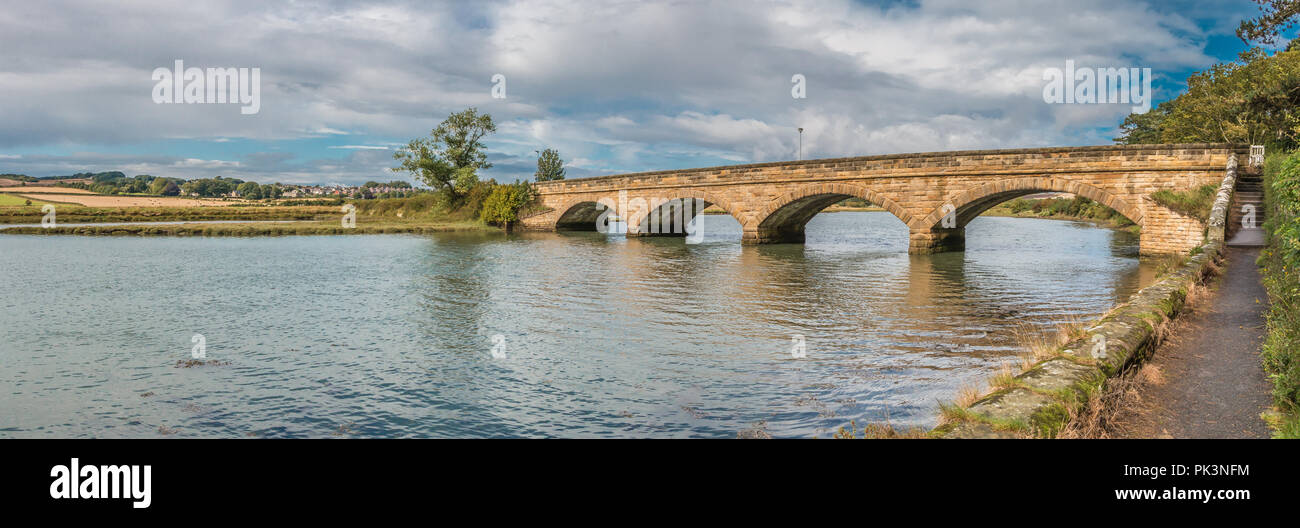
point(547, 335)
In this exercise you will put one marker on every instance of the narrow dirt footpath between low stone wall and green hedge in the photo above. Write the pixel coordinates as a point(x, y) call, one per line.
point(1207, 380)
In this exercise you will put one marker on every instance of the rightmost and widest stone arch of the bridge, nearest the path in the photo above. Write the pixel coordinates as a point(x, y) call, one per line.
point(929, 235)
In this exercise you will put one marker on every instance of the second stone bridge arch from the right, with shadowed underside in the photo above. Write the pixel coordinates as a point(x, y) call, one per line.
point(785, 218)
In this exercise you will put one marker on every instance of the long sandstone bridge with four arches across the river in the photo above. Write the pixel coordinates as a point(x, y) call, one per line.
point(935, 194)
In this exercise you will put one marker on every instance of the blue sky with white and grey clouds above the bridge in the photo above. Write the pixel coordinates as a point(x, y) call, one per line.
point(616, 86)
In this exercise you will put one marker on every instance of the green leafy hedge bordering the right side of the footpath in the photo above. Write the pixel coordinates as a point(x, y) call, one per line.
point(1280, 266)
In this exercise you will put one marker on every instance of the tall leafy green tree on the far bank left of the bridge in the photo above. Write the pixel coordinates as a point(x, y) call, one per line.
point(452, 155)
